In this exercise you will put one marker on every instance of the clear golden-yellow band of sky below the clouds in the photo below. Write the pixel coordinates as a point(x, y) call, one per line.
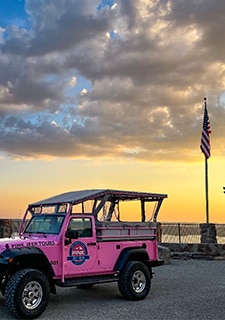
point(183, 182)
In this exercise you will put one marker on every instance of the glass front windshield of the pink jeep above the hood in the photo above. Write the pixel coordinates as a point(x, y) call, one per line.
point(45, 223)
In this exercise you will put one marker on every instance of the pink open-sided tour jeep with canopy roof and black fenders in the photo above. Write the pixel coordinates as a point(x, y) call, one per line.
point(80, 239)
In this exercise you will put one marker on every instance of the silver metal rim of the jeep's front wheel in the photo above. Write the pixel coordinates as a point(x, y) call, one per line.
point(32, 295)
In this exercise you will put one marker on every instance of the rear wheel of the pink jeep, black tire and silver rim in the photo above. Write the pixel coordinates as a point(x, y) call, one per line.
point(134, 281)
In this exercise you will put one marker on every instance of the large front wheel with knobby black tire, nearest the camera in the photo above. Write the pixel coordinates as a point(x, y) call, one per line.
point(27, 294)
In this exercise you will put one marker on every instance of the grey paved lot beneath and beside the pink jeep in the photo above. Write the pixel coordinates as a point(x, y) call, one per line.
point(183, 290)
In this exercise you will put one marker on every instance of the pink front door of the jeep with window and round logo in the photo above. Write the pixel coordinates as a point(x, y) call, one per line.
point(81, 252)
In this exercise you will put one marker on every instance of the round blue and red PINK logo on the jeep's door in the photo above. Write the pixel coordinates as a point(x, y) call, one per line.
point(78, 253)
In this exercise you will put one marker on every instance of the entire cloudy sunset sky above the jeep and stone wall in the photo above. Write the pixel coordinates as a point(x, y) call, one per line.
point(109, 94)
